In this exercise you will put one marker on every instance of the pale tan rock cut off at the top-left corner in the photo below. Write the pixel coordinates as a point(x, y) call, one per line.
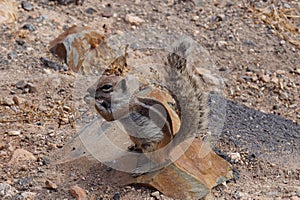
point(8, 11)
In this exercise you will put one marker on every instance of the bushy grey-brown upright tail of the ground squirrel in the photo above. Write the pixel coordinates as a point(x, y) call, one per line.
point(188, 91)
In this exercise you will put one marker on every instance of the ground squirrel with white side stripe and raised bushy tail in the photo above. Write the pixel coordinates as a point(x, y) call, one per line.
point(146, 120)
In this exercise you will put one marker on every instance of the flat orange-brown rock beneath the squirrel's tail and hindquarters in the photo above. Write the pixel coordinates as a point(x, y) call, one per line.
point(192, 176)
